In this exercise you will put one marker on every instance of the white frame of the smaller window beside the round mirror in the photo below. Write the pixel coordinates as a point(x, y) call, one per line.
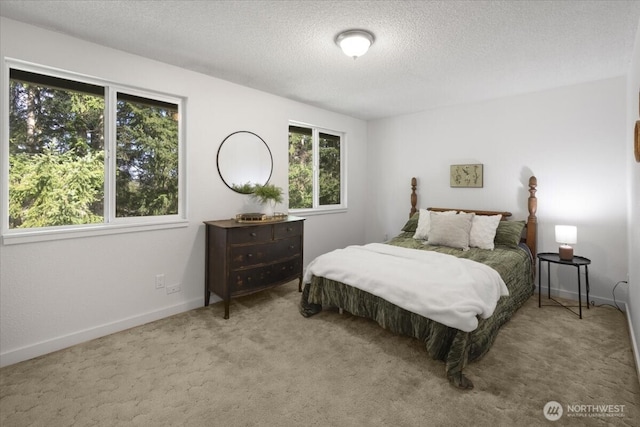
point(317, 208)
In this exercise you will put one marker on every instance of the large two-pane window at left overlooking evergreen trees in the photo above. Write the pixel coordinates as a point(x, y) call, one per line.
point(60, 171)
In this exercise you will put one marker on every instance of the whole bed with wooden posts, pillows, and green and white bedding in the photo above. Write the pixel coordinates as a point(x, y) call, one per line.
point(512, 257)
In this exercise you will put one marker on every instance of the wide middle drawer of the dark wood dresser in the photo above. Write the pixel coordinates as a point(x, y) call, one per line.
point(243, 256)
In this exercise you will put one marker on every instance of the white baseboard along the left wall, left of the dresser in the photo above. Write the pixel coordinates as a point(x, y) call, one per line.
point(59, 343)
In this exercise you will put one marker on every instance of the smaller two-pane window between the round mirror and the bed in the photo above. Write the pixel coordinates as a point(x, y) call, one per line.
point(316, 169)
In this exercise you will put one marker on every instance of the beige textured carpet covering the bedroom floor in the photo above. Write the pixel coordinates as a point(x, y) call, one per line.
point(269, 366)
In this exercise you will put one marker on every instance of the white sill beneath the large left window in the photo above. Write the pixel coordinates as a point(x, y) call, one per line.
point(15, 237)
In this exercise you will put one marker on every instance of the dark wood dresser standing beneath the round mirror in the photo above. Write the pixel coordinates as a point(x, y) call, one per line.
point(242, 258)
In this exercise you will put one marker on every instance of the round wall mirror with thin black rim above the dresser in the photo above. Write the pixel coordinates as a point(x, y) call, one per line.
point(244, 160)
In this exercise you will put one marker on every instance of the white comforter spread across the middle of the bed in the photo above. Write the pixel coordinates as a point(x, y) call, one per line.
point(447, 289)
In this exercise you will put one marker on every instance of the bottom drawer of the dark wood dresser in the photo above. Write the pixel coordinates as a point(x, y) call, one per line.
point(261, 277)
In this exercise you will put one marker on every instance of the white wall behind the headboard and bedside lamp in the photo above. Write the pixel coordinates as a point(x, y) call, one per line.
point(572, 138)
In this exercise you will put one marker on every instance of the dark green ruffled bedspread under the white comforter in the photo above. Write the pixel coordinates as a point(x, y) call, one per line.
point(455, 347)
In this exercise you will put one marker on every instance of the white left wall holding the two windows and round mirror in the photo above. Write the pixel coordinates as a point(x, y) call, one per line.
point(55, 294)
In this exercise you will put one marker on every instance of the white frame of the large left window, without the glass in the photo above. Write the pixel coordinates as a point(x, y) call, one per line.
point(111, 223)
